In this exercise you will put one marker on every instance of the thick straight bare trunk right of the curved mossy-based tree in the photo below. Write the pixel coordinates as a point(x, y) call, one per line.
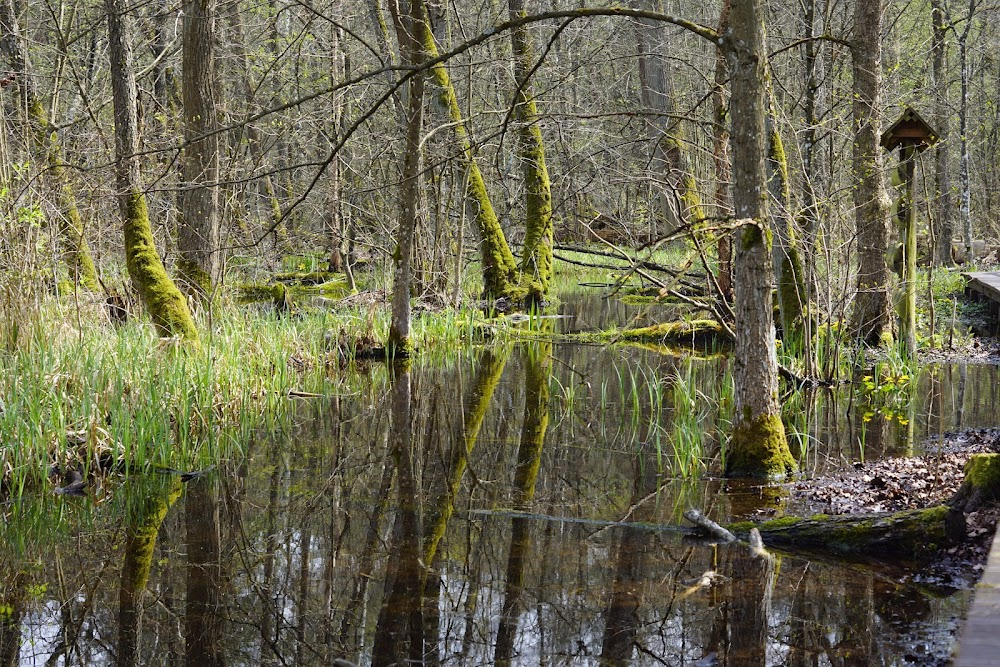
point(198, 236)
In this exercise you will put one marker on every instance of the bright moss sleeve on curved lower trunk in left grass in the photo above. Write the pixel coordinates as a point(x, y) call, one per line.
point(165, 303)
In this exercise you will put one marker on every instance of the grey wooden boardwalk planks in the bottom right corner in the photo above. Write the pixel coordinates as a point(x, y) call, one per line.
point(980, 645)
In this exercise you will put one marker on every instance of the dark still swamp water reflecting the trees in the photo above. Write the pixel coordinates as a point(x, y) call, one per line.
point(507, 505)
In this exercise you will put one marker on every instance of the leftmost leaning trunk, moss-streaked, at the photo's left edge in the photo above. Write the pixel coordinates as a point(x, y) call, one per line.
point(79, 261)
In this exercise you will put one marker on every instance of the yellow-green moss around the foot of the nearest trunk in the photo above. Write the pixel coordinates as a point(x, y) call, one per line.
point(758, 448)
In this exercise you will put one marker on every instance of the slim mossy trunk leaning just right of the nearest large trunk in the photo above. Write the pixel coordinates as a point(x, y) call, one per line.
point(785, 247)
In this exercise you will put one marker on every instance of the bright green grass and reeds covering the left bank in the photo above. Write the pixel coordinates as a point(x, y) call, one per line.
point(83, 394)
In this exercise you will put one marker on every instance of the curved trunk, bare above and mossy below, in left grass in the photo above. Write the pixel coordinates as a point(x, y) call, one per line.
point(167, 307)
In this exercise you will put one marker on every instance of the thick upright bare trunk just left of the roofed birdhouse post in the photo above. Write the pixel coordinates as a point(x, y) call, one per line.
point(871, 307)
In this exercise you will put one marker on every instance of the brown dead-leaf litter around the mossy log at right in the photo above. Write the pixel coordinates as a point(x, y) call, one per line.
point(898, 483)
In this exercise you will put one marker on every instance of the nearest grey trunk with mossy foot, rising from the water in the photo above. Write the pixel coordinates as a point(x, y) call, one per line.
point(758, 446)
